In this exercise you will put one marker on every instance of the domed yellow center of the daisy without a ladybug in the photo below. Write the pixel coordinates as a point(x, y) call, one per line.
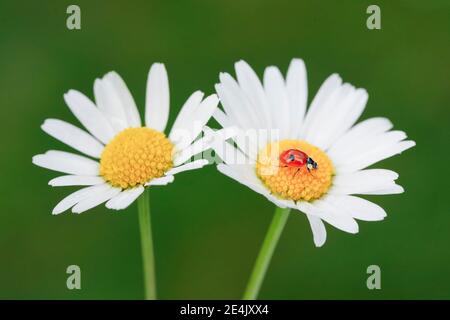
point(136, 156)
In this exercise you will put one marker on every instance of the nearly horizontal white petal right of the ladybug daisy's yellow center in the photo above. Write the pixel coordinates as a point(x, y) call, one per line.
point(362, 182)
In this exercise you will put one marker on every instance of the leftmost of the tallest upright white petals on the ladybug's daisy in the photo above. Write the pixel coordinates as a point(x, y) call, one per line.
point(252, 87)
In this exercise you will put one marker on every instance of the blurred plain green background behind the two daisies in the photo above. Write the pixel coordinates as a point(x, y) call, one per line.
point(208, 228)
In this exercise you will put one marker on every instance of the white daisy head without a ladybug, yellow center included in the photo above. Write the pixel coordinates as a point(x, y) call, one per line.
point(128, 156)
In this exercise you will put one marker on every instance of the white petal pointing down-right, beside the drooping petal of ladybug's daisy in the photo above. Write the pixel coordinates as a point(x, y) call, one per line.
point(327, 212)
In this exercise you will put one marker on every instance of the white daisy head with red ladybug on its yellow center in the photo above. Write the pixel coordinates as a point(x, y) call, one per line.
point(318, 159)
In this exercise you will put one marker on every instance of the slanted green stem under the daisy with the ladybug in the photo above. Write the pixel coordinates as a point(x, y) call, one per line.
point(265, 254)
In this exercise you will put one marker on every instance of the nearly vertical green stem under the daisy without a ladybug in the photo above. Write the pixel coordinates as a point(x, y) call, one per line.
point(148, 260)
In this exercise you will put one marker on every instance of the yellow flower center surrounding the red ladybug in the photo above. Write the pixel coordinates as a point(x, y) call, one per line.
point(294, 183)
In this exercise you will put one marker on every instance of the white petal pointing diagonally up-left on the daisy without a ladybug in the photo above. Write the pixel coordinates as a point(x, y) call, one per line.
point(89, 116)
